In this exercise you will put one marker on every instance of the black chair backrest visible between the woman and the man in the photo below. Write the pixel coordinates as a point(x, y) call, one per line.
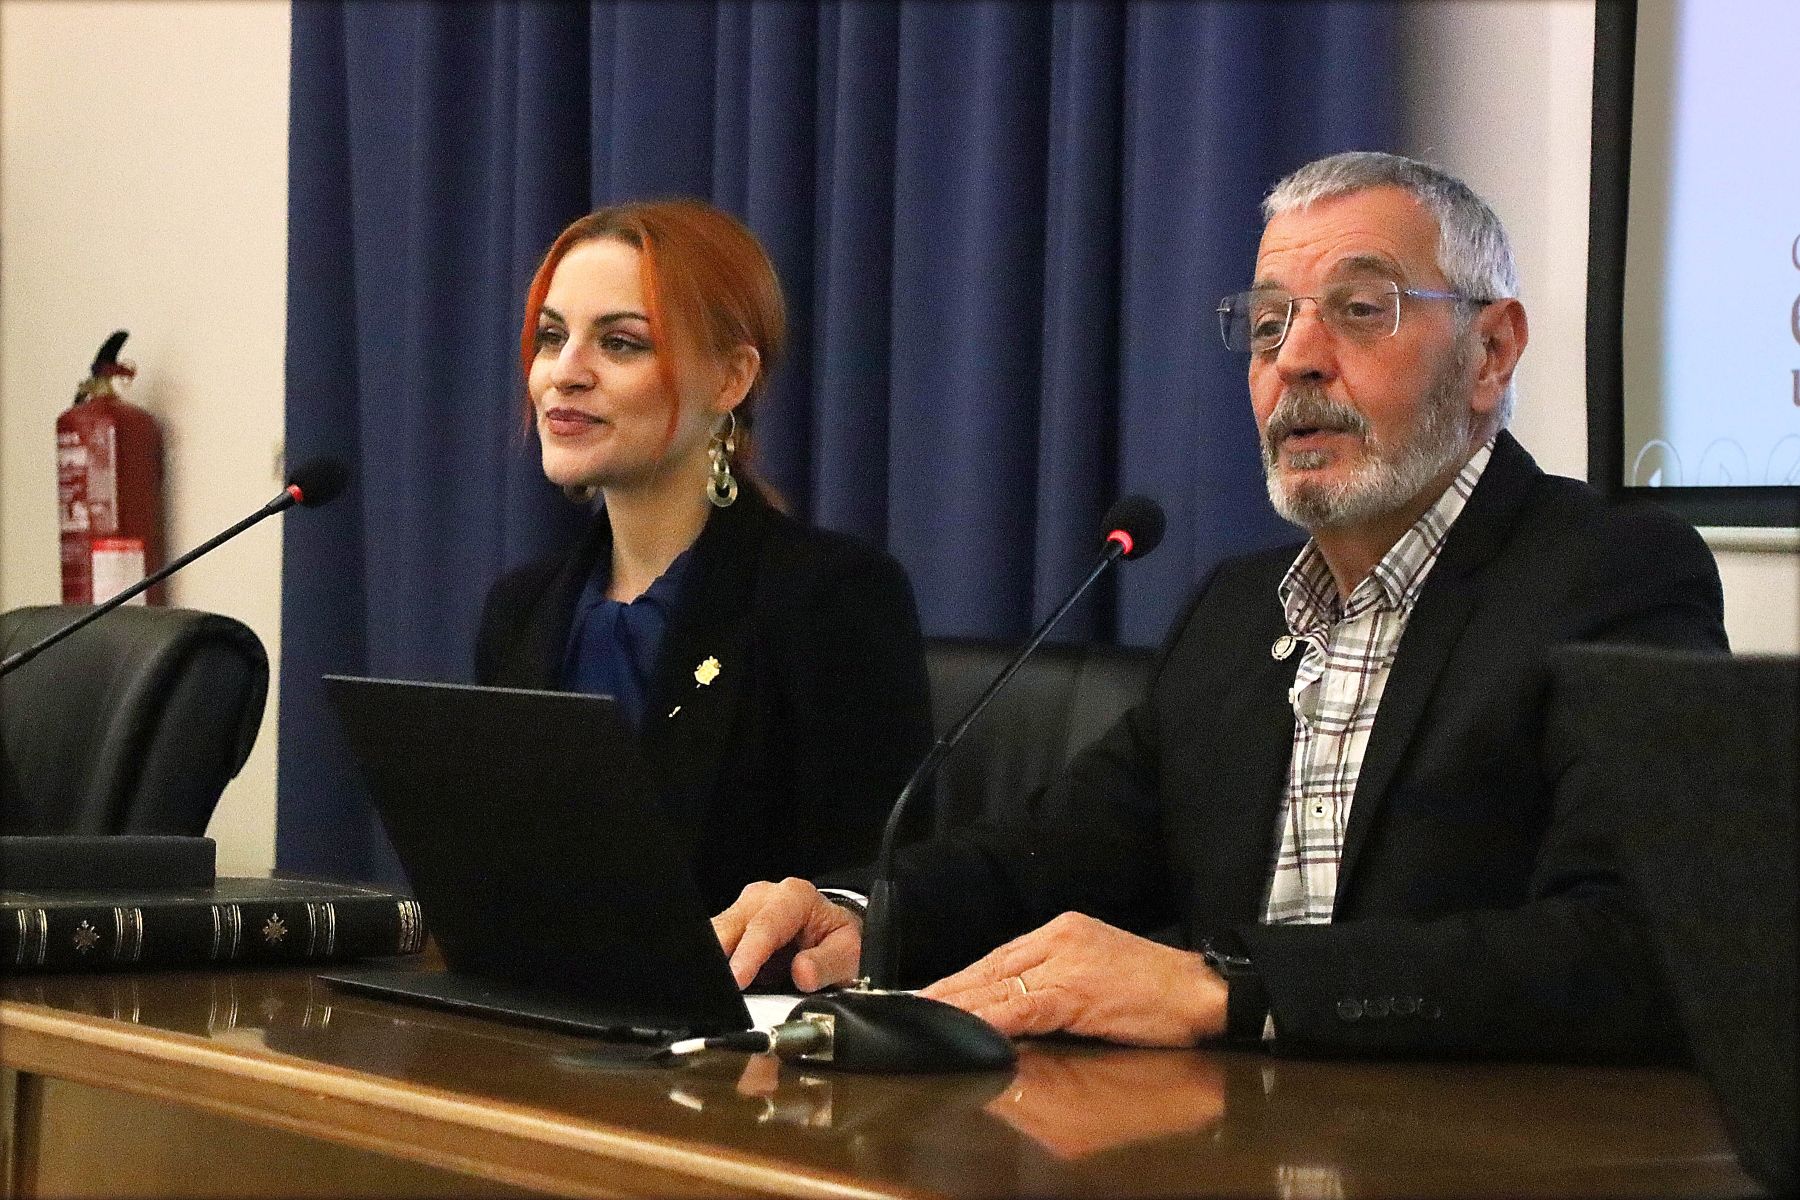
point(1061, 701)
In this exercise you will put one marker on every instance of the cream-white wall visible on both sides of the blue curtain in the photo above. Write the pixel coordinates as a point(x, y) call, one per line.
point(143, 186)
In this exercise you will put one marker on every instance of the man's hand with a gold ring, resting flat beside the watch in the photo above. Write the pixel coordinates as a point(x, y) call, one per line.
point(1088, 978)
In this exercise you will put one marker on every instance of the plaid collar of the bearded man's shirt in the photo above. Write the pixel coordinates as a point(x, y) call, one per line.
point(1309, 593)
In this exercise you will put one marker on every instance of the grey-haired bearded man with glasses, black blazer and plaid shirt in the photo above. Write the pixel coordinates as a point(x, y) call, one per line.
point(1333, 823)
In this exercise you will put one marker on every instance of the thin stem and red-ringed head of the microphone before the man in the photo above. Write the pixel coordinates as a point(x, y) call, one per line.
point(1135, 528)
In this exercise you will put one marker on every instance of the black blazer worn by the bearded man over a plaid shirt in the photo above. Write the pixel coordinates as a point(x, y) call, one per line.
point(1479, 908)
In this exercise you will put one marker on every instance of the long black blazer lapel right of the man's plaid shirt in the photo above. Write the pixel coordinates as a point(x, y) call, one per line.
point(1432, 632)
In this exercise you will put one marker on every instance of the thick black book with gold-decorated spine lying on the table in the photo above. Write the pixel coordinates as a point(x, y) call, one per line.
point(246, 922)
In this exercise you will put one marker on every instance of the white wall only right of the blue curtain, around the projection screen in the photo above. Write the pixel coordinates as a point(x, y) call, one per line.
point(1500, 93)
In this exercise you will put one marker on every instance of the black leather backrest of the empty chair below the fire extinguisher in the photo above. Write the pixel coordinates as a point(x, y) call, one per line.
point(132, 726)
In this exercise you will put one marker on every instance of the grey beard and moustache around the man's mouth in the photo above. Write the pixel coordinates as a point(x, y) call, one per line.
point(1390, 476)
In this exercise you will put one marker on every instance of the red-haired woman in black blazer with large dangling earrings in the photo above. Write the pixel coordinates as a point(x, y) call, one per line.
point(775, 672)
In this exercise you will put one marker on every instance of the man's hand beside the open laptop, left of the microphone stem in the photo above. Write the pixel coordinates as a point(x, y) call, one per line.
point(771, 917)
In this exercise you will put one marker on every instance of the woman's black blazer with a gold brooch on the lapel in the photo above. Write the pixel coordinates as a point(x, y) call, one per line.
point(789, 760)
